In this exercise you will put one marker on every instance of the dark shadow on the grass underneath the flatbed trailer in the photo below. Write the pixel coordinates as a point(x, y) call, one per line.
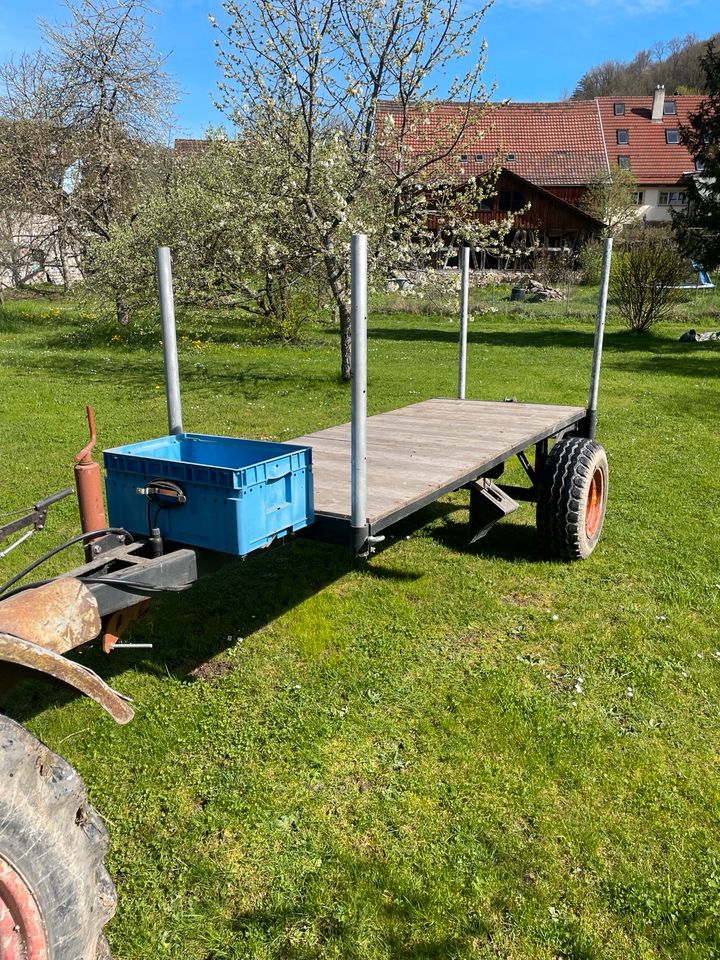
point(236, 598)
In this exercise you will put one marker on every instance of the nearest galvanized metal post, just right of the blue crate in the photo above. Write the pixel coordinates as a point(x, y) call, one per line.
point(358, 316)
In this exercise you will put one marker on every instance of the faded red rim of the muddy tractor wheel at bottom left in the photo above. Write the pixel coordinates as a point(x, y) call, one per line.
point(22, 931)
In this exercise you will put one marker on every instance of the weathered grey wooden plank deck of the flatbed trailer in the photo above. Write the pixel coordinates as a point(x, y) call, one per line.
point(419, 453)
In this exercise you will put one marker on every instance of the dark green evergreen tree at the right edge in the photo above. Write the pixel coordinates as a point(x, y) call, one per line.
point(697, 229)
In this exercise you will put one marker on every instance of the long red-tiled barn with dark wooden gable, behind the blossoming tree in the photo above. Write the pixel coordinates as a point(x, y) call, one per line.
point(545, 153)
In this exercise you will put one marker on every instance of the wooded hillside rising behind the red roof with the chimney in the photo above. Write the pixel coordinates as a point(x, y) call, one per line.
point(676, 64)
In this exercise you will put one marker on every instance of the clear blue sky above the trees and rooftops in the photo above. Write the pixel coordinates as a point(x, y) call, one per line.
point(537, 49)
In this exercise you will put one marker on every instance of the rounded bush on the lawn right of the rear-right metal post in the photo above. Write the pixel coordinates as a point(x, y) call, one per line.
point(645, 280)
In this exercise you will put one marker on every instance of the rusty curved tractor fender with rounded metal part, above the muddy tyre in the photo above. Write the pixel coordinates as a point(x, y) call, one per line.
point(37, 626)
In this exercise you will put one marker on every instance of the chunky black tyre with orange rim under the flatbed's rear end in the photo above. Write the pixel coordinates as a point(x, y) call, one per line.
point(572, 496)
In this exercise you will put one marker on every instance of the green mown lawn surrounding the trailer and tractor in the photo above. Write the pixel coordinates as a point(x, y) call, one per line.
point(444, 752)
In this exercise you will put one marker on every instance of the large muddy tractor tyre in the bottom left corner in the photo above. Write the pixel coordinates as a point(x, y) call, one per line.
point(55, 893)
